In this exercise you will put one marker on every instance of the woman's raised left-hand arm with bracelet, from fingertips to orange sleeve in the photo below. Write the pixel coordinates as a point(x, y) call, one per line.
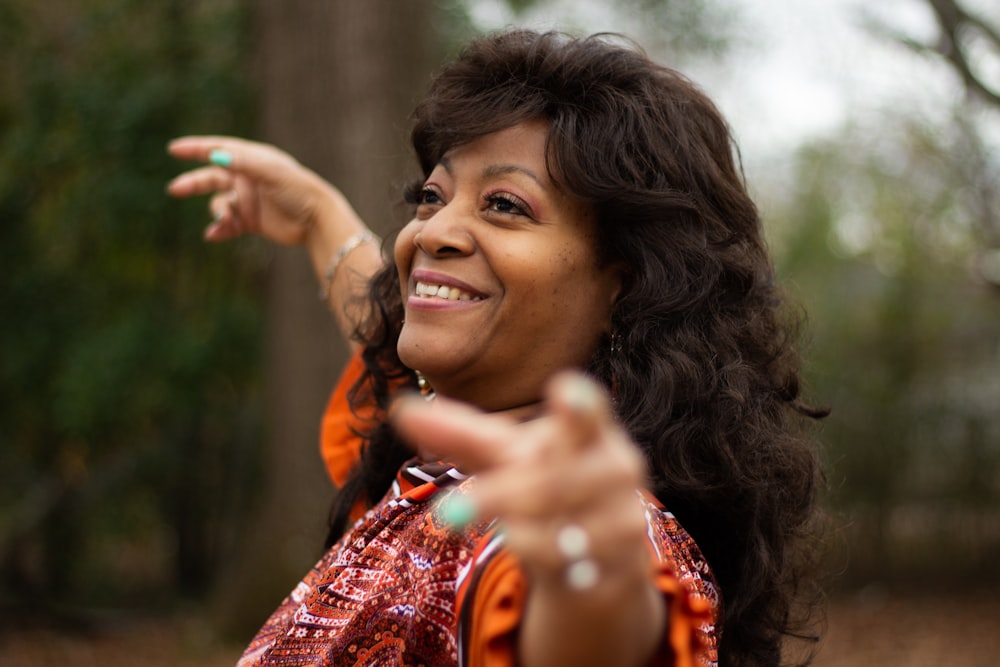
point(258, 189)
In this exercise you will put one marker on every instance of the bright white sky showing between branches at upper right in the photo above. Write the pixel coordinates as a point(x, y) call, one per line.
point(802, 67)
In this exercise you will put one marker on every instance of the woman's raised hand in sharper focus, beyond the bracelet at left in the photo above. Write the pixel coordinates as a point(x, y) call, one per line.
point(262, 190)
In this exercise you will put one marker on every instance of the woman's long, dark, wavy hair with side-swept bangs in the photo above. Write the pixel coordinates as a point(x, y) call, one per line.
point(703, 368)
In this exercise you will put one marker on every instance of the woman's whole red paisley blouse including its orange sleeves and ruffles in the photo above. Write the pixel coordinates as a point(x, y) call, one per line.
point(403, 587)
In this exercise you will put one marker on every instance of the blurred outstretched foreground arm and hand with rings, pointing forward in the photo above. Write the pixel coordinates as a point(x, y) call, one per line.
point(564, 489)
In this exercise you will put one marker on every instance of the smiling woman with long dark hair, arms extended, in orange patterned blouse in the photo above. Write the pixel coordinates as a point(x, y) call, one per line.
point(612, 469)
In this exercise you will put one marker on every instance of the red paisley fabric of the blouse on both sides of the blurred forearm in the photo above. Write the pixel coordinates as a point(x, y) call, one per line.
point(388, 592)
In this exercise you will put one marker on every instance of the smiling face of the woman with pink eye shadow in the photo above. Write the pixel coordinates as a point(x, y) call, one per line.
point(499, 274)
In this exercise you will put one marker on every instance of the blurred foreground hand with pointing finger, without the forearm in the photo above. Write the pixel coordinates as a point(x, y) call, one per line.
point(573, 466)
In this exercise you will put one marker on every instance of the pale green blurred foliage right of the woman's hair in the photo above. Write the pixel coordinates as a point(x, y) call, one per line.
point(878, 238)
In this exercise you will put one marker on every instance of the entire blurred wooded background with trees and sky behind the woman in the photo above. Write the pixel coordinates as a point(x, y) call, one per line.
point(160, 487)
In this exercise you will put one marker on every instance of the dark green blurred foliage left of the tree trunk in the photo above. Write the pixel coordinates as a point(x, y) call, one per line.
point(129, 347)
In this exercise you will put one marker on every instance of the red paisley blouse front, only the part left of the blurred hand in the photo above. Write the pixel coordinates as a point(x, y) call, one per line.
point(384, 594)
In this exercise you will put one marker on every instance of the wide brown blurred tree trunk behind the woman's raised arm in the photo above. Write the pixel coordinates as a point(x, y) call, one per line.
point(337, 79)
